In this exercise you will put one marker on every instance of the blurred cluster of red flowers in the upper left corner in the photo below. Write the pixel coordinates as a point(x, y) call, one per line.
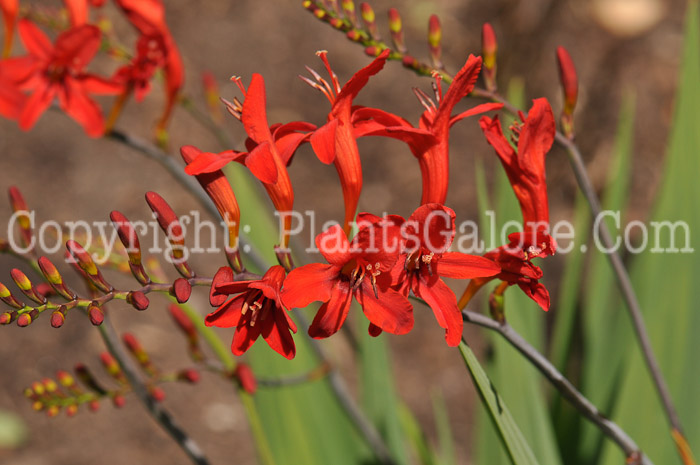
point(57, 70)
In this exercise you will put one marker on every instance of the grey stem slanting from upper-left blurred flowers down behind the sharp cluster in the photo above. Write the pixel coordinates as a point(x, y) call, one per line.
point(176, 171)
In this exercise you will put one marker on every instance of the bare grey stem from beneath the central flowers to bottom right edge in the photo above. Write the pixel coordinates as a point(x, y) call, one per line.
point(563, 385)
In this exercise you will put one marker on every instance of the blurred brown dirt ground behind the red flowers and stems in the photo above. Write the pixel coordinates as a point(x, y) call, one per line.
point(66, 176)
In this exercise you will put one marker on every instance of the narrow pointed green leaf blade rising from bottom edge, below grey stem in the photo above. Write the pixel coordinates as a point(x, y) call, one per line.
point(515, 444)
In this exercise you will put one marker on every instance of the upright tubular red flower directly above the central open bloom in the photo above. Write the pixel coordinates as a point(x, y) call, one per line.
point(335, 142)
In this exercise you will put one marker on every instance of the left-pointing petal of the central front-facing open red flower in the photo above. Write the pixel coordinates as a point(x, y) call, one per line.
point(309, 283)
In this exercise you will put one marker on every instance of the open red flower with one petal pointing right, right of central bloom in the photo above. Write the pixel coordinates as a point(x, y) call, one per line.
point(429, 232)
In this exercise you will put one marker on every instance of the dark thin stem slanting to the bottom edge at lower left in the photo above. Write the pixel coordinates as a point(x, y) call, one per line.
point(159, 414)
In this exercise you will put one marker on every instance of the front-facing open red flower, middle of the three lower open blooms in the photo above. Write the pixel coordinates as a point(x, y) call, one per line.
point(360, 268)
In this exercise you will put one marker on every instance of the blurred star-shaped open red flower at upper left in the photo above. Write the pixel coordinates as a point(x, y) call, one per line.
point(57, 70)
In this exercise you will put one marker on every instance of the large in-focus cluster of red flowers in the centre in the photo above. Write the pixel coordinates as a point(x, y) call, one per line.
point(388, 258)
